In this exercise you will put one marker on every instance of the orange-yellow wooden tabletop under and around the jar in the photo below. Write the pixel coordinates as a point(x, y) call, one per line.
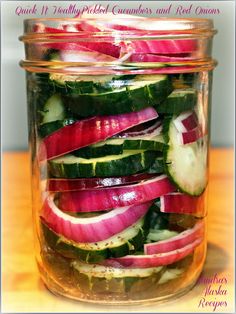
point(22, 289)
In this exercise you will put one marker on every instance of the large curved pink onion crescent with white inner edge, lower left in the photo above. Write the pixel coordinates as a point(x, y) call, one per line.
point(92, 229)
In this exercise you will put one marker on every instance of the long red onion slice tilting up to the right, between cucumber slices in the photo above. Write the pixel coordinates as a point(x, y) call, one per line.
point(99, 128)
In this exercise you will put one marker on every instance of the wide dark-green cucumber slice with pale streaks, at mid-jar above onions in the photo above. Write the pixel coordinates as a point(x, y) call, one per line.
point(129, 162)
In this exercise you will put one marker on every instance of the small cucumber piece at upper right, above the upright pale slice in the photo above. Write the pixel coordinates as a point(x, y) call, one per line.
point(178, 101)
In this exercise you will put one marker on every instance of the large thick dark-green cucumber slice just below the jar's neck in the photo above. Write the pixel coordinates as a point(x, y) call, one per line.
point(143, 91)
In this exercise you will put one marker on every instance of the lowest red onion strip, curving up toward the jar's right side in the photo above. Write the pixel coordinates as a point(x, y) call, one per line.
point(144, 261)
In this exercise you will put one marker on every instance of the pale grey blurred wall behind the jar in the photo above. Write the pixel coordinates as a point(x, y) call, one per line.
point(14, 113)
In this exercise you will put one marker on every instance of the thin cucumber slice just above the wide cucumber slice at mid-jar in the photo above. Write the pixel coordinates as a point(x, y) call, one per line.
point(117, 146)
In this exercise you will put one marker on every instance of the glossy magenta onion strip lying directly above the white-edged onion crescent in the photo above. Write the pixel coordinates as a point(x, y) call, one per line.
point(107, 198)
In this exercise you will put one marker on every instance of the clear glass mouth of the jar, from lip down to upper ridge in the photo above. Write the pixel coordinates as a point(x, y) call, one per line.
point(148, 28)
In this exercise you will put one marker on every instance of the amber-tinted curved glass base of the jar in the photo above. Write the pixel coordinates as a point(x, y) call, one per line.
point(64, 286)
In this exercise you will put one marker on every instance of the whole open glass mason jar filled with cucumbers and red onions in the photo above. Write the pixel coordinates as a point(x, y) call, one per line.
point(119, 127)
